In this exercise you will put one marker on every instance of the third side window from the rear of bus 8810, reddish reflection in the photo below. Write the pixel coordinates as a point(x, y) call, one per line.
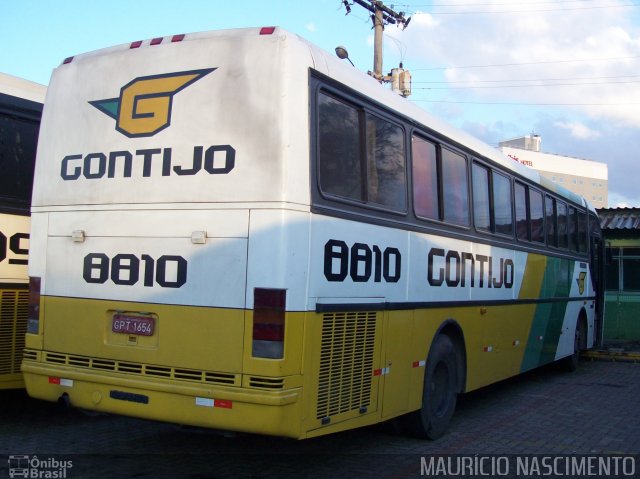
point(425, 179)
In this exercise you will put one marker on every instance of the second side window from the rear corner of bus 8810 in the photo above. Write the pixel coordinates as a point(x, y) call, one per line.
point(386, 176)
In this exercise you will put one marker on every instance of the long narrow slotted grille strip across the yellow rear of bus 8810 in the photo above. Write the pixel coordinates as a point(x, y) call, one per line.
point(149, 370)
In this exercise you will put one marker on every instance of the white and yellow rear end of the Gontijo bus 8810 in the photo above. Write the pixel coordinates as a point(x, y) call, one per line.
point(159, 232)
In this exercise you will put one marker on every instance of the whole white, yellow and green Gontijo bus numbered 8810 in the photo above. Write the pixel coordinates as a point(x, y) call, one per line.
point(236, 230)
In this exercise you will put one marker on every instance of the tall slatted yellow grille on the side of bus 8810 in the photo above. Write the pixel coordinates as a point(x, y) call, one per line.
point(346, 362)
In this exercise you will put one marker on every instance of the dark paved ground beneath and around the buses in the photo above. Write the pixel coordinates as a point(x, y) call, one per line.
point(592, 411)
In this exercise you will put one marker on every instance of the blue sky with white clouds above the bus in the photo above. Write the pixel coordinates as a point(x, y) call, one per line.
point(568, 70)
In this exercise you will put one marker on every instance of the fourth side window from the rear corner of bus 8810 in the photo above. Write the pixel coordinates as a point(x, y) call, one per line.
point(455, 188)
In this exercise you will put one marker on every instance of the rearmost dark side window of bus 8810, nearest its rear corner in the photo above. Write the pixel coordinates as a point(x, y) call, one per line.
point(339, 149)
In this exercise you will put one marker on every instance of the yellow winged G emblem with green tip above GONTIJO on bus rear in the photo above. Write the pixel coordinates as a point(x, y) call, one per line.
point(144, 105)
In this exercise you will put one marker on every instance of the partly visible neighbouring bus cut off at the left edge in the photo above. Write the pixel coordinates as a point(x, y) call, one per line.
point(20, 110)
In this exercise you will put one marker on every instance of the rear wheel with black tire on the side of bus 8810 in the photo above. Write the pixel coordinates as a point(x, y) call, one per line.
point(439, 393)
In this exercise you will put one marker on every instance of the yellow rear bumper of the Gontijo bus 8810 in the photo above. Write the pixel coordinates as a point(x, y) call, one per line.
point(228, 408)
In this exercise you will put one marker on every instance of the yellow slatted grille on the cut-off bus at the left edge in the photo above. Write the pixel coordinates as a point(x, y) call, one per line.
point(14, 306)
